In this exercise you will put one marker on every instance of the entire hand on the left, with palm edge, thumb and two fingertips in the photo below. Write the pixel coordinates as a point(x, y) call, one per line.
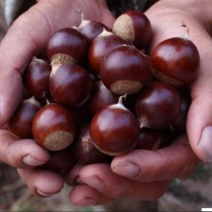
point(26, 38)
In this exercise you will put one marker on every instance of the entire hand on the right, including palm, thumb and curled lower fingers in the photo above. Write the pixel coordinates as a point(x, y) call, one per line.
point(146, 174)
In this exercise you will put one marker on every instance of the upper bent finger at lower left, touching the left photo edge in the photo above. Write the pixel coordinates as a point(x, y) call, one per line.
point(21, 153)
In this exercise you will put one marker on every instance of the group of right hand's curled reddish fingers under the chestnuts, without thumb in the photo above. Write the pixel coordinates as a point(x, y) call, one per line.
point(140, 174)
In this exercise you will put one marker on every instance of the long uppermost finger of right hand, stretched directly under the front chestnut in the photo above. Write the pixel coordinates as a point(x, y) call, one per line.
point(175, 161)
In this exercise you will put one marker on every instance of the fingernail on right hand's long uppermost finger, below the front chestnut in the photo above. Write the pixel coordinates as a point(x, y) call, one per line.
point(126, 169)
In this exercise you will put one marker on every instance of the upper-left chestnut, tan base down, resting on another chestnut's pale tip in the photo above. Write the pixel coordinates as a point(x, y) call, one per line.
point(66, 45)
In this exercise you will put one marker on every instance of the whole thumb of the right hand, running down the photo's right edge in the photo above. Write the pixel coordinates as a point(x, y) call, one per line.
point(199, 121)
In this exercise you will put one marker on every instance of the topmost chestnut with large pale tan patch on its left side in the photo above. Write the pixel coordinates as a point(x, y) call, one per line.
point(135, 28)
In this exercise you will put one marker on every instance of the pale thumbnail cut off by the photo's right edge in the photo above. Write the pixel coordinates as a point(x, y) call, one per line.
point(206, 143)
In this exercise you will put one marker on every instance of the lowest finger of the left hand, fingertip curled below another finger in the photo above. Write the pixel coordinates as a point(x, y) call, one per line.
point(40, 182)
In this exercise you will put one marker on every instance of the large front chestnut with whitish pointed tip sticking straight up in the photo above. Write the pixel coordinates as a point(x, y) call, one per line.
point(114, 130)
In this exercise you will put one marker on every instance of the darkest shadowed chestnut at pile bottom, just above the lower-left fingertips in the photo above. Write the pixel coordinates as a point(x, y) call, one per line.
point(60, 161)
